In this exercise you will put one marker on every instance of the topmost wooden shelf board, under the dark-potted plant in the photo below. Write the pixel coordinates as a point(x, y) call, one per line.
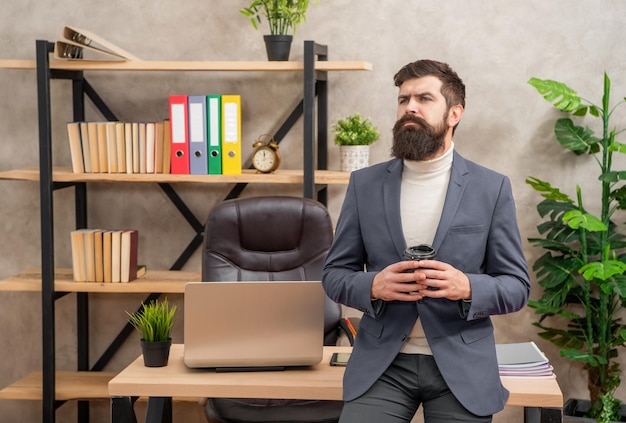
point(166, 65)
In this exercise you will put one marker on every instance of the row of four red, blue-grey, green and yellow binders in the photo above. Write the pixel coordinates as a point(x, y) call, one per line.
point(206, 134)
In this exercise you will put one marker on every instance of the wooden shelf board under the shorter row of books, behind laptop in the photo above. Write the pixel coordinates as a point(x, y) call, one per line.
point(162, 281)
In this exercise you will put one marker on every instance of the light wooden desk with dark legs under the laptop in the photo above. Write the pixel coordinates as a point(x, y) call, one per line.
point(542, 398)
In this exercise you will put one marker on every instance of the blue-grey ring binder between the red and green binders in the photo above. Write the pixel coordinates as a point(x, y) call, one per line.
point(198, 162)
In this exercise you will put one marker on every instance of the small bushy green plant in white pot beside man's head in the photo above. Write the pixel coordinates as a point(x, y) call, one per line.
point(353, 135)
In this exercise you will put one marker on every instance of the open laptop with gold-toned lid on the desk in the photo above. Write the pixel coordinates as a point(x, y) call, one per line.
point(247, 326)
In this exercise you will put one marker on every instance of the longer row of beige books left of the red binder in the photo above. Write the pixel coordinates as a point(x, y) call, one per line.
point(119, 147)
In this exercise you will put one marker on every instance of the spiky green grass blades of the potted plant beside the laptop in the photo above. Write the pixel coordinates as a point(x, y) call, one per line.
point(154, 320)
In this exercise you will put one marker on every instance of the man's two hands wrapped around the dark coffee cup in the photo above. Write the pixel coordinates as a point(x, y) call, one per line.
point(411, 280)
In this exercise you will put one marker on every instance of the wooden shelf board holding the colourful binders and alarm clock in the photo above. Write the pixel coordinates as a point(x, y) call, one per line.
point(287, 176)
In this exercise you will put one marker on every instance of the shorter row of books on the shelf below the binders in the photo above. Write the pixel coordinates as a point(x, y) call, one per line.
point(105, 255)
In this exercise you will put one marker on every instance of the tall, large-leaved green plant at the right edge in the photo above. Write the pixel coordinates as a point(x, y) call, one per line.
point(583, 271)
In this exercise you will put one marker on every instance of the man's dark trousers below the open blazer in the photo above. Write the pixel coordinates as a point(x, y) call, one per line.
point(410, 381)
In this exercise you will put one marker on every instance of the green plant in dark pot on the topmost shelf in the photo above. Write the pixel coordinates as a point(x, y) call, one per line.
point(283, 16)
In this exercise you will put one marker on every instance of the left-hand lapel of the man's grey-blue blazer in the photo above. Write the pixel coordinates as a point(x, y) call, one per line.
point(391, 204)
